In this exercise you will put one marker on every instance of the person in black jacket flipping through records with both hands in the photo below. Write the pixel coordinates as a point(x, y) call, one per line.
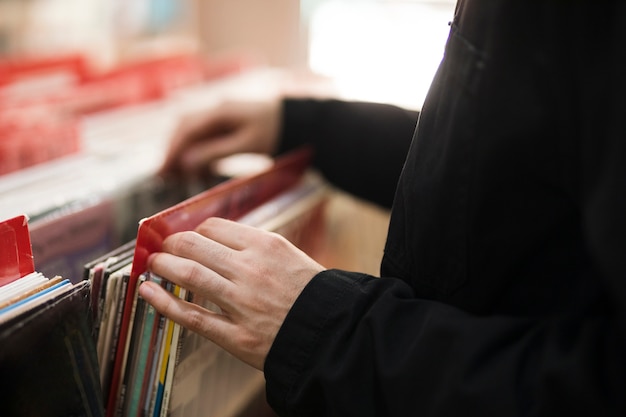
point(503, 281)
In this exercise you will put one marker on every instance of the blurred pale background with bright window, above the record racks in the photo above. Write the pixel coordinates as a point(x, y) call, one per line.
point(380, 50)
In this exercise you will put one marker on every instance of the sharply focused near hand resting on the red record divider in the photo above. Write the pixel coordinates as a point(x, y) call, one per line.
point(253, 276)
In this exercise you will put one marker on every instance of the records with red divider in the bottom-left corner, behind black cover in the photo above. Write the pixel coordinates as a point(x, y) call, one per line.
point(48, 361)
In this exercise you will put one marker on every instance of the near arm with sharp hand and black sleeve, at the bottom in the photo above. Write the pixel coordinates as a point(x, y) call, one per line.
point(353, 344)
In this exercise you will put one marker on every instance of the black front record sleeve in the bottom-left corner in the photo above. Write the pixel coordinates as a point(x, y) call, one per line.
point(48, 362)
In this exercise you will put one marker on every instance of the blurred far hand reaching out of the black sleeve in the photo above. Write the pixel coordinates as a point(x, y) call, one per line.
point(233, 127)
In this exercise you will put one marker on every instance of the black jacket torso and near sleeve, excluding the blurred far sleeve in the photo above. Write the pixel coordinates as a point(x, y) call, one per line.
point(503, 289)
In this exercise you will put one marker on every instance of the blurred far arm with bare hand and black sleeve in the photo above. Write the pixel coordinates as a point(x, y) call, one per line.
point(359, 146)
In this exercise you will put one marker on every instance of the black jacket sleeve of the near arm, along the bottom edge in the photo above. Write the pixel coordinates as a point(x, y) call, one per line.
point(355, 345)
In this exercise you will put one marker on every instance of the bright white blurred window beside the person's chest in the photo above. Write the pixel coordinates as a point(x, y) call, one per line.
point(384, 51)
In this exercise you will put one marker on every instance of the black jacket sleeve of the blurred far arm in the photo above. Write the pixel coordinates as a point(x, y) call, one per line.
point(359, 147)
